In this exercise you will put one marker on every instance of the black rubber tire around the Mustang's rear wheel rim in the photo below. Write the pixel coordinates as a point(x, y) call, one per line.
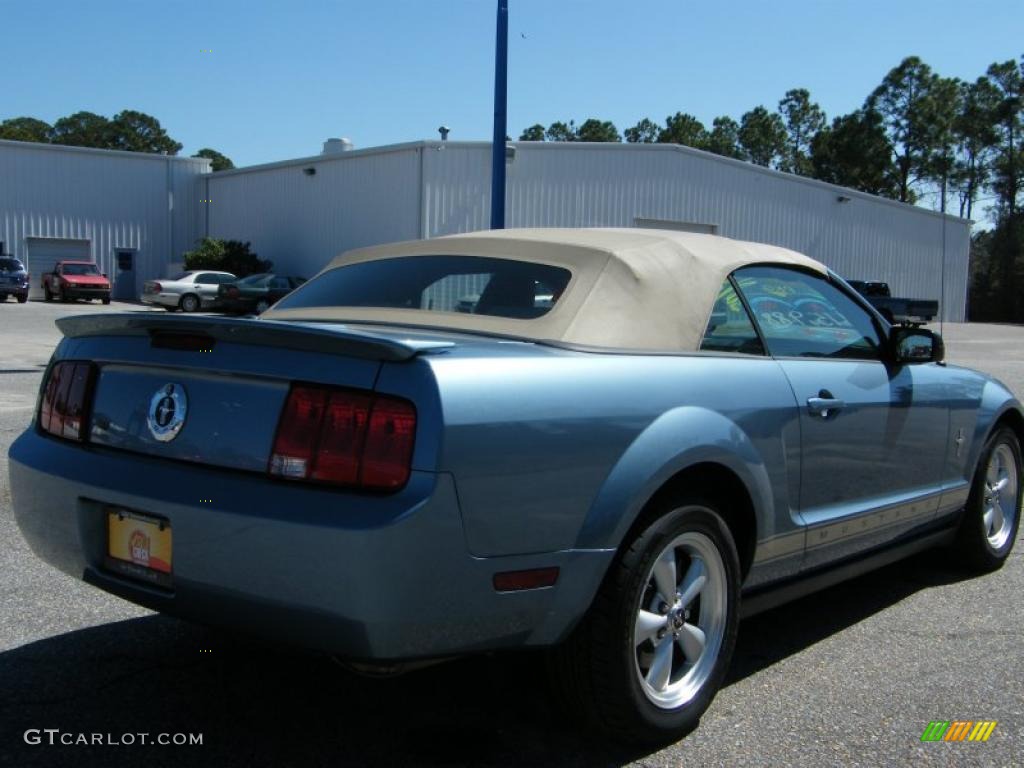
point(598, 671)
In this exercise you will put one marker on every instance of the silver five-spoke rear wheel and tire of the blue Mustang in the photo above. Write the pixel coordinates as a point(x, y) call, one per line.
point(651, 656)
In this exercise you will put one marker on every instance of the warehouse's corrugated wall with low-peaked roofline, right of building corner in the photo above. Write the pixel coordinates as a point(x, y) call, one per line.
point(862, 237)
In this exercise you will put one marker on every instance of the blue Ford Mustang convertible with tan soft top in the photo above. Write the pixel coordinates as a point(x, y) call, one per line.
point(622, 443)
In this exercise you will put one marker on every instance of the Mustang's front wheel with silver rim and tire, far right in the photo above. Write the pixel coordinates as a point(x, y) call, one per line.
point(992, 519)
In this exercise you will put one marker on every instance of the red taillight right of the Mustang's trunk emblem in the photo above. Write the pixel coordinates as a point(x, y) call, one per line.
point(345, 438)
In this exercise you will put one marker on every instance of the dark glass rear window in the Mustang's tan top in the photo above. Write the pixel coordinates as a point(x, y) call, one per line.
point(475, 285)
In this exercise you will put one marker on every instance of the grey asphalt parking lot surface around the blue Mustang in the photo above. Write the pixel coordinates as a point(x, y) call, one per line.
point(849, 676)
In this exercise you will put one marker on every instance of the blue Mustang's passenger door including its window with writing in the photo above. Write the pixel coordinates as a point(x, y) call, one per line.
point(873, 434)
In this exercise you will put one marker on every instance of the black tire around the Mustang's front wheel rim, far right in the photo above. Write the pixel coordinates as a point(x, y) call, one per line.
point(974, 544)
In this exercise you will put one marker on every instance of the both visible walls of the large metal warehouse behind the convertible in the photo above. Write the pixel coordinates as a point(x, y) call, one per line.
point(428, 189)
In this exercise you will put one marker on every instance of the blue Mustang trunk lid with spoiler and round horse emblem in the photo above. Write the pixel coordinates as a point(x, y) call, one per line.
point(211, 390)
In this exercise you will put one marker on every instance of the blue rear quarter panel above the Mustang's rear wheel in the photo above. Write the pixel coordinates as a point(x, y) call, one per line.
point(554, 450)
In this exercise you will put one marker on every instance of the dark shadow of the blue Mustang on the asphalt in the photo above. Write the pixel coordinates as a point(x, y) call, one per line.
point(266, 706)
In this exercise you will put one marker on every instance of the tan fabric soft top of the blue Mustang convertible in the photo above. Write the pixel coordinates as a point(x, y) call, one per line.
point(632, 289)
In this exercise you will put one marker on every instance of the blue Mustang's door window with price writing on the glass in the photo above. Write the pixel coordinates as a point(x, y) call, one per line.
point(804, 316)
